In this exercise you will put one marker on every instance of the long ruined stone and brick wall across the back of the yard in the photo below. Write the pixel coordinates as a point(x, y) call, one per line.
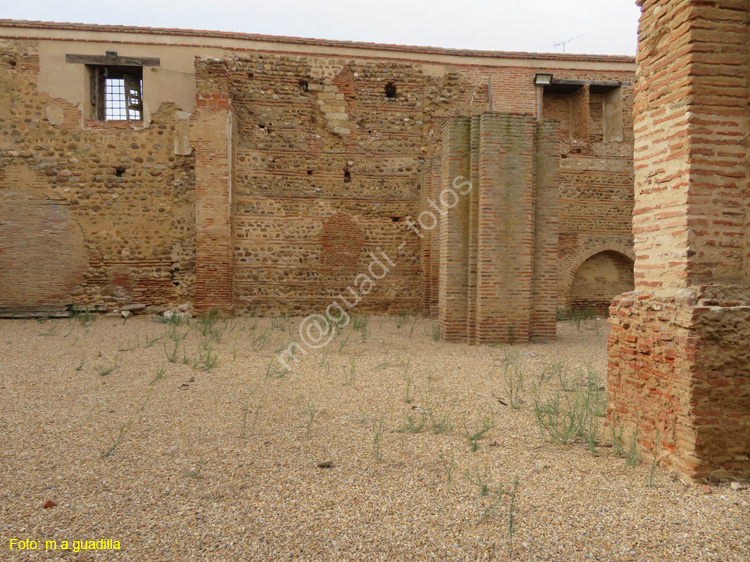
point(272, 189)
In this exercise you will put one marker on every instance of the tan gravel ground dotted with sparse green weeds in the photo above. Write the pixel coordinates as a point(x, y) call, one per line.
point(223, 464)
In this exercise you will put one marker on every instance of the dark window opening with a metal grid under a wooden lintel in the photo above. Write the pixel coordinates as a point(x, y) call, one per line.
point(117, 93)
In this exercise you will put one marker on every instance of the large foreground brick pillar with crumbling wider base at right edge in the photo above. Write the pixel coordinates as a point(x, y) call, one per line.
point(679, 371)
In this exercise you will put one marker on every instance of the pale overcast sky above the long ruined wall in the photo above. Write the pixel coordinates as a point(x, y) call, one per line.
point(586, 26)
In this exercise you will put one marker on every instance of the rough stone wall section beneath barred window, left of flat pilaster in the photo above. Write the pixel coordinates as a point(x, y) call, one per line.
point(98, 215)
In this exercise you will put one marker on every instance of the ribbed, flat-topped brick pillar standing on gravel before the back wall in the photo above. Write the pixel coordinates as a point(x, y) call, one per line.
point(498, 252)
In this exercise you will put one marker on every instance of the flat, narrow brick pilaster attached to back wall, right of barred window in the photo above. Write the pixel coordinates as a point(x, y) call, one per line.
point(212, 133)
